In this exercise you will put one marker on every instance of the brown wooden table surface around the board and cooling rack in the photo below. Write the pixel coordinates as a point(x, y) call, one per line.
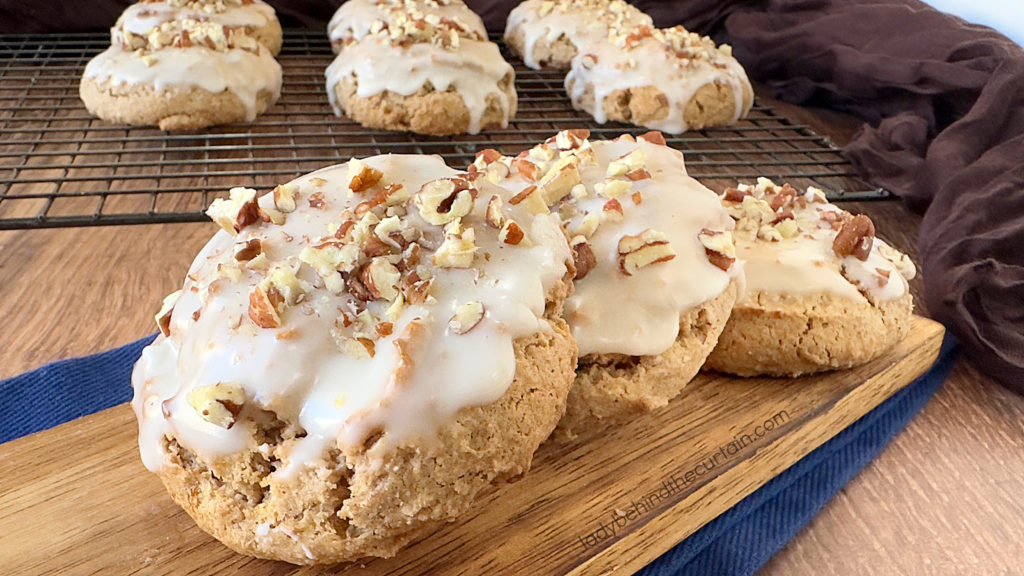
point(946, 498)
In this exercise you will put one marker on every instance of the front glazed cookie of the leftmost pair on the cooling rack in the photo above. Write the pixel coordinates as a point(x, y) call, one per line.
point(190, 75)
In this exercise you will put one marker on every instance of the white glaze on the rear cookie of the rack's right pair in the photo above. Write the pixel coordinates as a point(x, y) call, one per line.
point(584, 23)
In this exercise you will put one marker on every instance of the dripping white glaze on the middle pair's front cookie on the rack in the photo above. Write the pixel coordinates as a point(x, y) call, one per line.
point(474, 70)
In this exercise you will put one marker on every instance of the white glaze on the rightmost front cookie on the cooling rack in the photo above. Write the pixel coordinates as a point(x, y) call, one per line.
point(610, 66)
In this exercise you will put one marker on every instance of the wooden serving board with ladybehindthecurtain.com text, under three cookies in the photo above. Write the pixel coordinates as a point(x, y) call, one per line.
point(76, 500)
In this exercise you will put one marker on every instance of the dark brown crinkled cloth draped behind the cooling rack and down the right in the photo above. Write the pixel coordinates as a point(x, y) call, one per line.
point(943, 101)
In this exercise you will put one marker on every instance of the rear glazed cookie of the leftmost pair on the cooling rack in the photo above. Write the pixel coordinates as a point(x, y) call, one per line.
point(257, 18)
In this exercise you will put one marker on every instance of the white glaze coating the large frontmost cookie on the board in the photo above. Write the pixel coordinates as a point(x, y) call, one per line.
point(300, 372)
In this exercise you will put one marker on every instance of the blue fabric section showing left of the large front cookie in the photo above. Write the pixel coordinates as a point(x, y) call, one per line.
point(67, 390)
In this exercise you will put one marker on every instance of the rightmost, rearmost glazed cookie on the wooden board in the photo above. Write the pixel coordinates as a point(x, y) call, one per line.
point(823, 293)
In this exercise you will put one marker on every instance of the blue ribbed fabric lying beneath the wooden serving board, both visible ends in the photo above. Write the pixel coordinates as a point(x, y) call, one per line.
point(737, 543)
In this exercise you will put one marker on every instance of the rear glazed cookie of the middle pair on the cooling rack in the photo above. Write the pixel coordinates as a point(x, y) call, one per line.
point(356, 19)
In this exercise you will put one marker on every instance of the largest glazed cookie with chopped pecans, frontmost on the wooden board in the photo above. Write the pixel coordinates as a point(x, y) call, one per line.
point(355, 358)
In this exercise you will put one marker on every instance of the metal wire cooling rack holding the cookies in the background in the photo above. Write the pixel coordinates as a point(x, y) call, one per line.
point(61, 168)
